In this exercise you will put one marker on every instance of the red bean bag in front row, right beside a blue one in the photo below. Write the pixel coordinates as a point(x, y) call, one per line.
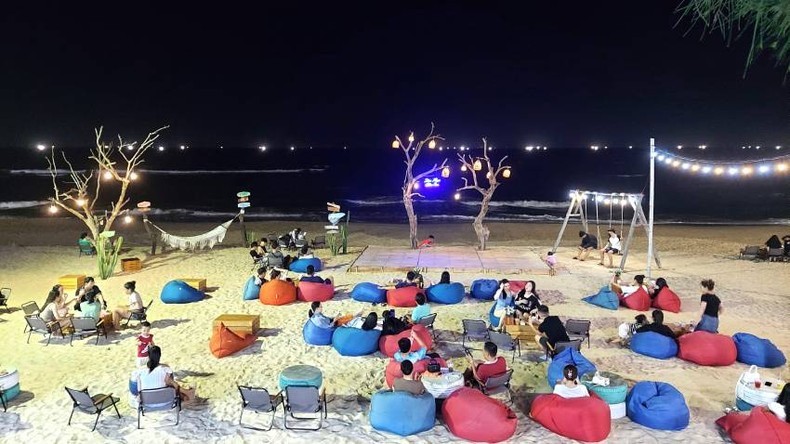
point(471, 415)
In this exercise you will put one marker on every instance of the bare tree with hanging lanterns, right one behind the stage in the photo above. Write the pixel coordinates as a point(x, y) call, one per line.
point(472, 166)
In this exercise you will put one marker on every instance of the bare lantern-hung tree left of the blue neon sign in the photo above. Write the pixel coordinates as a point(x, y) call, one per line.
point(412, 151)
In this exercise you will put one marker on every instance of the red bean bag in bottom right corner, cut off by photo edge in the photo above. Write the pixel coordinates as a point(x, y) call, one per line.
point(760, 426)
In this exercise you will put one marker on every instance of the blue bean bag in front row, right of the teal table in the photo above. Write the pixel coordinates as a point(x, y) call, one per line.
point(657, 405)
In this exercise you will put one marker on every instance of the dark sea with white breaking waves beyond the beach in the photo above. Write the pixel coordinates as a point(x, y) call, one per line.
point(199, 184)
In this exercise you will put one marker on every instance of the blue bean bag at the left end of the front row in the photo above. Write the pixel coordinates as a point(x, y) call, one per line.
point(402, 413)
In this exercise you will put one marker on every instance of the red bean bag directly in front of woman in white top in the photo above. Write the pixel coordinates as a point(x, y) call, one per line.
point(583, 419)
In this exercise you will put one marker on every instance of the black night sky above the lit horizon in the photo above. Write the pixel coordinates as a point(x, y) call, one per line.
point(565, 75)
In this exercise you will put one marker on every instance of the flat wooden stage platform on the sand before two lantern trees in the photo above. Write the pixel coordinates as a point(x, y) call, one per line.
point(451, 258)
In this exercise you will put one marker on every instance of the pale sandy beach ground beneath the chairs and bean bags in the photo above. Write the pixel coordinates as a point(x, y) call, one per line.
point(34, 252)
